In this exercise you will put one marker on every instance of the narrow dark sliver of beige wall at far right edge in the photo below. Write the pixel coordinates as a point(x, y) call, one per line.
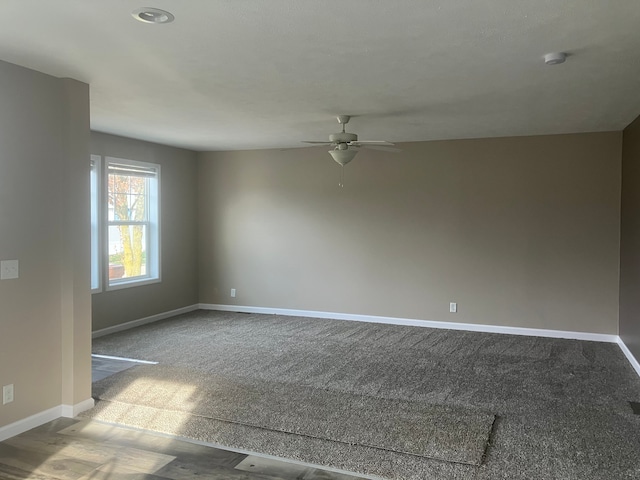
point(630, 240)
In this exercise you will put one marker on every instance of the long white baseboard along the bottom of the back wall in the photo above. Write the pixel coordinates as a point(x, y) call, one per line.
point(472, 327)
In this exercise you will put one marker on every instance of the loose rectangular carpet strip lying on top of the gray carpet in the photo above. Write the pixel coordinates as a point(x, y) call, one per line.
point(448, 433)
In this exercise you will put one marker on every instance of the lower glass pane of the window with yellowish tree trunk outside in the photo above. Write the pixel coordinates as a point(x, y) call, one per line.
point(127, 251)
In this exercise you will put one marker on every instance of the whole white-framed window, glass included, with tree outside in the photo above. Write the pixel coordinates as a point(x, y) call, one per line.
point(130, 233)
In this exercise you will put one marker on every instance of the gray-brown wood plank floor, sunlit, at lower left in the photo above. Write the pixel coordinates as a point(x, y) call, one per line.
point(69, 449)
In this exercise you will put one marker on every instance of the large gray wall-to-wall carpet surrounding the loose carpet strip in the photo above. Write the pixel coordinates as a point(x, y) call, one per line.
point(562, 405)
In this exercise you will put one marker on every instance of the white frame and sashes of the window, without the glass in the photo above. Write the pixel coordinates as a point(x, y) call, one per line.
point(100, 263)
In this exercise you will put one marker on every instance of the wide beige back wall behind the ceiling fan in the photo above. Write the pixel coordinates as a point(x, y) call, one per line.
point(519, 231)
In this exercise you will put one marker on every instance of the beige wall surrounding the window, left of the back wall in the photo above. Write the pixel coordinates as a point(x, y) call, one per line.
point(178, 235)
